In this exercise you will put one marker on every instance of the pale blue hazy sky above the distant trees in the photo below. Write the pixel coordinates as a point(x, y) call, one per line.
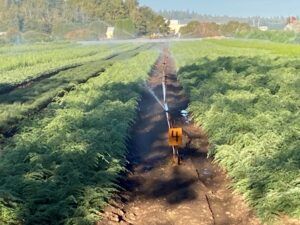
point(230, 7)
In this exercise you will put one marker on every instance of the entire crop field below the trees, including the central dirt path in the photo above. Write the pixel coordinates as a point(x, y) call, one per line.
point(72, 116)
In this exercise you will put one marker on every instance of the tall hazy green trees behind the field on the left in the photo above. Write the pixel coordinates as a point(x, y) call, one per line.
point(60, 17)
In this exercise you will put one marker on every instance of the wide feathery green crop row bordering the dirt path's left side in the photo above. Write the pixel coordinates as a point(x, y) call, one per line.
point(61, 168)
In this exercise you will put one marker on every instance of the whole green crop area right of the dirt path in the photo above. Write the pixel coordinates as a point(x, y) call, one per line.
point(245, 95)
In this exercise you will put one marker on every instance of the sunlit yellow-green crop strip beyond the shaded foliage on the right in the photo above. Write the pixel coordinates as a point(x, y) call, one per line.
point(191, 51)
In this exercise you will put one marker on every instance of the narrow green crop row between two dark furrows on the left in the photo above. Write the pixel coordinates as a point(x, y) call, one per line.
point(21, 102)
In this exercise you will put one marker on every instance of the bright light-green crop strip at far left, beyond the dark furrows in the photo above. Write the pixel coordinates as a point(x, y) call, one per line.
point(17, 66)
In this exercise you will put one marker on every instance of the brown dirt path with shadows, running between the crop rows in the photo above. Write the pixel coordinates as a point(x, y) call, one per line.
point(159, 193)
